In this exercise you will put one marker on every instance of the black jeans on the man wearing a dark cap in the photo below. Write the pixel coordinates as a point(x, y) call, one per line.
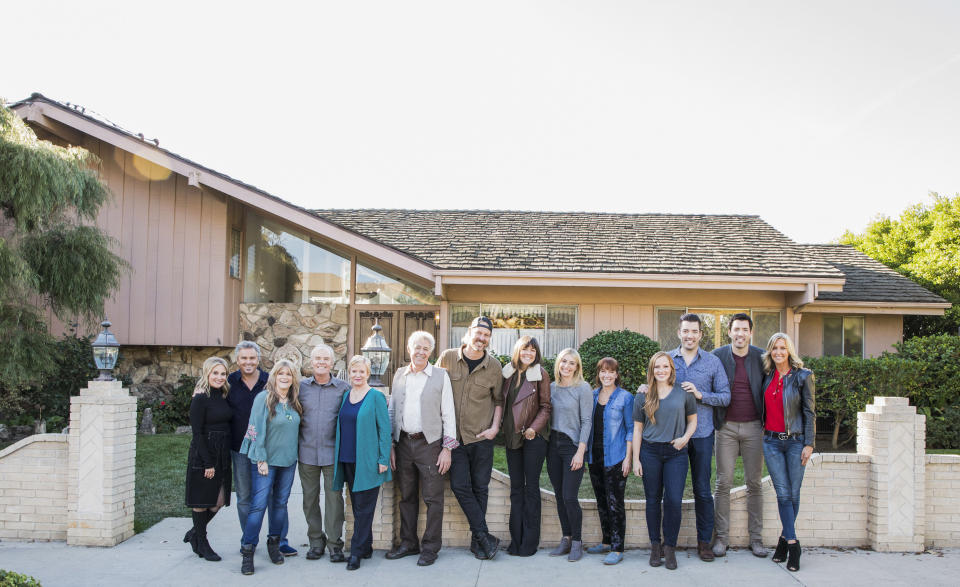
point(470, 469)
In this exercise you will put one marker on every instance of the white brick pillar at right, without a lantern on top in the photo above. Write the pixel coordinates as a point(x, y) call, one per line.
point(892, 434)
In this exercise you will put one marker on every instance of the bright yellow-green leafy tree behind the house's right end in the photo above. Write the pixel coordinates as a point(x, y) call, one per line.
point(924, 245)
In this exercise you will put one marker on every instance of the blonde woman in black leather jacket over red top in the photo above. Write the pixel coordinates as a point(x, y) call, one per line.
point(789, 422)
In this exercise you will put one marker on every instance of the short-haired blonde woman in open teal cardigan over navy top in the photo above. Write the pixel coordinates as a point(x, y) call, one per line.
point(362, 454)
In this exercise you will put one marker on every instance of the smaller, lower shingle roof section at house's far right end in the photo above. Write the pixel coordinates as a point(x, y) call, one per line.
point(869, 280)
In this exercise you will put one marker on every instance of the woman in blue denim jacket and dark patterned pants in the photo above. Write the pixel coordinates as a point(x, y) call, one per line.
point(608, 448)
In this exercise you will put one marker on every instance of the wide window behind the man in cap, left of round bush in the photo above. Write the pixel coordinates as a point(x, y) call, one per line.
point(555, 327)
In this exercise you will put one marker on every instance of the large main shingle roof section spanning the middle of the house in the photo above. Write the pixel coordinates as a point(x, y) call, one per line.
point(685, 244)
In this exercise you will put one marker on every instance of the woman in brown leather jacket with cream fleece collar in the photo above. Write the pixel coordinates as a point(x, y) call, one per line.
point(526, 428)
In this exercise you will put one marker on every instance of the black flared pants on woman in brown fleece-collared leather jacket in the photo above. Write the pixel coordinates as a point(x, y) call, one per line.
point(524, 465)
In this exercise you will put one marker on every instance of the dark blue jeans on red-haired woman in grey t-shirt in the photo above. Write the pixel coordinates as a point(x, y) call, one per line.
point(664, 475)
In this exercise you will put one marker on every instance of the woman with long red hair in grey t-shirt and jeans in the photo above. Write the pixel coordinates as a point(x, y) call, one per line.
point(664, 419)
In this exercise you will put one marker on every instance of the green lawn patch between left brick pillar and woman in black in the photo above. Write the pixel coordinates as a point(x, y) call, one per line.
point(161, 473)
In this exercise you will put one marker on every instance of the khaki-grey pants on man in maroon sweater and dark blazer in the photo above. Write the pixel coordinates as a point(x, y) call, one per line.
point(743, 439)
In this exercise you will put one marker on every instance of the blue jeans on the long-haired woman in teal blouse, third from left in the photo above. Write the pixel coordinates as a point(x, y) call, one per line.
point(270, 491)
